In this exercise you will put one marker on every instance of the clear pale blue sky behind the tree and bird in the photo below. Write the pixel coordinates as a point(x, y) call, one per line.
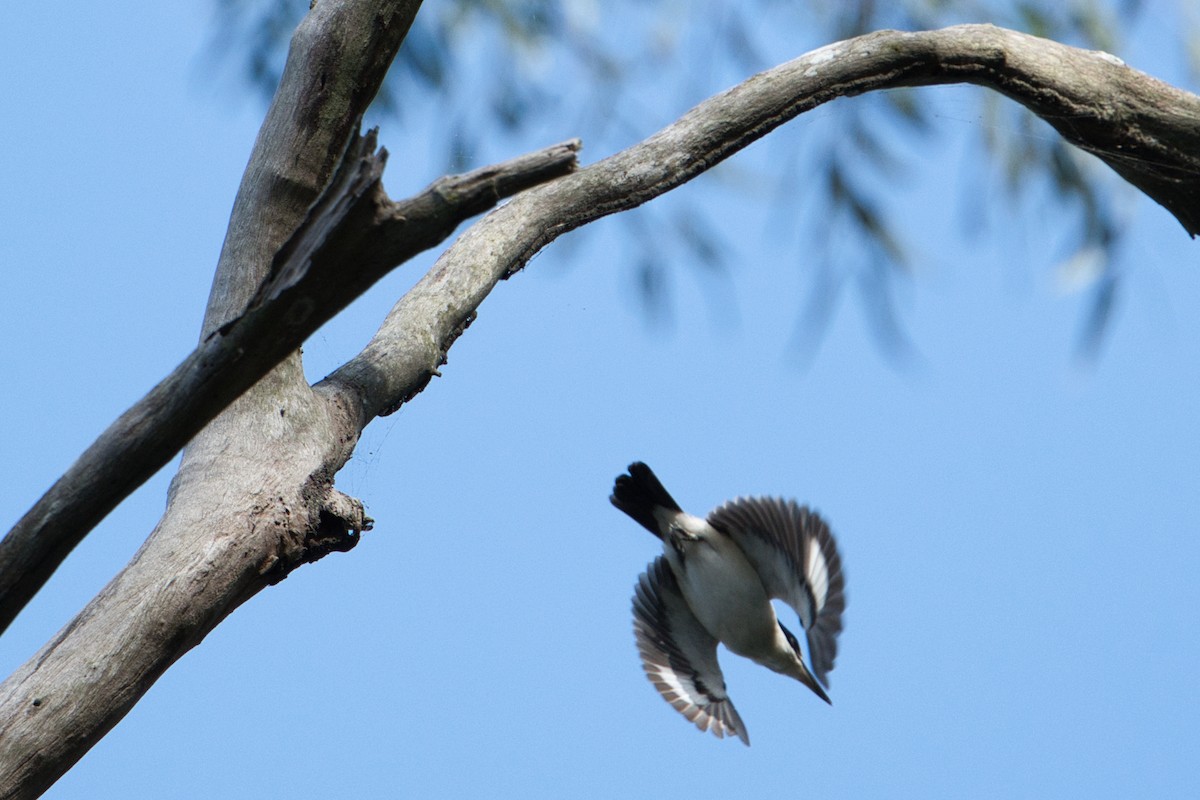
point(1019, 532)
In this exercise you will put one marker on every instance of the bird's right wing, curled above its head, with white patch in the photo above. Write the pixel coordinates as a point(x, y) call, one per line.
point(797, 560)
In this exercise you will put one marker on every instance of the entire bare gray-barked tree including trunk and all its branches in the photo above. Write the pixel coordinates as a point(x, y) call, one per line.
point(255, 498)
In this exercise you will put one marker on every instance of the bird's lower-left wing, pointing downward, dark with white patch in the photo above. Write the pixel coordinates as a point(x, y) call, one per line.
point(680, 657)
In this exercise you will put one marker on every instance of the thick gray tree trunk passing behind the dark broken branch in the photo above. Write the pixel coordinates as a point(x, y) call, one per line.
point(254, 494)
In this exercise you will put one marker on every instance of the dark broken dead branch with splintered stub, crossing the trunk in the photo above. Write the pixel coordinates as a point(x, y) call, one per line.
point(352, 238)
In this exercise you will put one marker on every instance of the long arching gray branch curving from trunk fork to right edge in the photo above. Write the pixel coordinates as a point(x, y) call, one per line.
point(1144, 129)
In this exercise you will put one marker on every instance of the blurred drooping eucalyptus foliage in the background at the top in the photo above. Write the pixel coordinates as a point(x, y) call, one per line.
point(559, 68)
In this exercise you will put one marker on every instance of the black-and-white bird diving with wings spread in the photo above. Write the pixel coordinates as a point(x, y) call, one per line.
point(715, 584)
